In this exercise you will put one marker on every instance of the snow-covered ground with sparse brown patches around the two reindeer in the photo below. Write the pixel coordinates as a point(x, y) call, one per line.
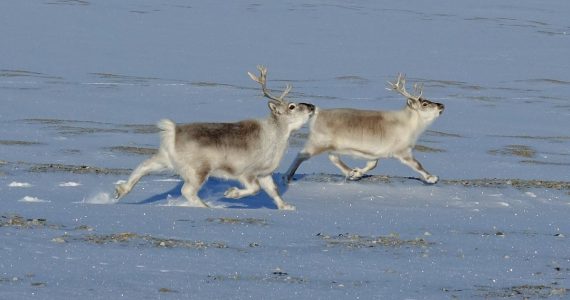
point(82, 82)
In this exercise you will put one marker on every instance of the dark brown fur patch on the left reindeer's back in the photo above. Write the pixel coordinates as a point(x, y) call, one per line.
point(231, 135)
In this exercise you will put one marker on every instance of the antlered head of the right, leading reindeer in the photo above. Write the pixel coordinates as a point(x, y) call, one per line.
point(427, 110)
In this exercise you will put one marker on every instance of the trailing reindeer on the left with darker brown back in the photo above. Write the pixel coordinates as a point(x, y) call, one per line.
point(248, 151)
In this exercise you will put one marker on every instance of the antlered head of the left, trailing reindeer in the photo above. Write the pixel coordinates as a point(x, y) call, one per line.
point(290, 113)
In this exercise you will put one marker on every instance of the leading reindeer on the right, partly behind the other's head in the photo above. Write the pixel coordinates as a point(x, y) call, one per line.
point(371, 135)
